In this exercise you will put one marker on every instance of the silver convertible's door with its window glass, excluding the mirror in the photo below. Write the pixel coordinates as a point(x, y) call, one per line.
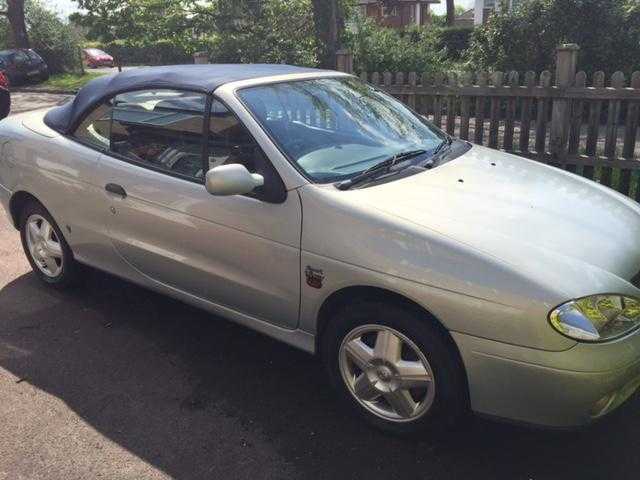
point(238, 252)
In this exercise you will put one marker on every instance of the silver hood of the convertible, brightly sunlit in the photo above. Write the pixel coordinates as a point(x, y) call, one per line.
point(525, 213)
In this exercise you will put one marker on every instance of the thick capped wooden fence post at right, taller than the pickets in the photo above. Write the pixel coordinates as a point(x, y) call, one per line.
point(566, 63)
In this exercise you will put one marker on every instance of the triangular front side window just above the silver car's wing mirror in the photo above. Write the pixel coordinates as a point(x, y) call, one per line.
point(230, 142)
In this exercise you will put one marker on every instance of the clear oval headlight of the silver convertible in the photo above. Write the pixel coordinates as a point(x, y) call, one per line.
point(597, 318)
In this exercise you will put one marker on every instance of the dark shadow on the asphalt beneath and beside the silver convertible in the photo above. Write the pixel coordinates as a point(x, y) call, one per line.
point(199, 397)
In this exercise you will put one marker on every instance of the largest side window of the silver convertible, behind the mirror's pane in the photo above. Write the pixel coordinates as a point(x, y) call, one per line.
point(160, 129)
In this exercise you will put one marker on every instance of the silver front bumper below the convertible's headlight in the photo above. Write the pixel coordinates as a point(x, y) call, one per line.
point(553, 389)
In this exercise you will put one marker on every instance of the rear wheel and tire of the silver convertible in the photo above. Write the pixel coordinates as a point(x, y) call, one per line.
point(46, 249)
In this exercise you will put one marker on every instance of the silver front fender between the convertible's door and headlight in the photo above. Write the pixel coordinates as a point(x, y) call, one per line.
point(466, 290)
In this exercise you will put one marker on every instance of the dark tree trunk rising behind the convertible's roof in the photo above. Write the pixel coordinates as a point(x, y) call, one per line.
point(328, 24)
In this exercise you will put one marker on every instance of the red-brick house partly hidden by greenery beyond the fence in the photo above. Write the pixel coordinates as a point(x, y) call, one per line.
point(401, 13)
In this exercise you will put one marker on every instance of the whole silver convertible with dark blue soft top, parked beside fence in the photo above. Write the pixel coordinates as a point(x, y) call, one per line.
point(433, 277)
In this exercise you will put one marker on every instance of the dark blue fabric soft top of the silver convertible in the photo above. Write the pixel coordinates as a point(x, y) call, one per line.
point(198, 78)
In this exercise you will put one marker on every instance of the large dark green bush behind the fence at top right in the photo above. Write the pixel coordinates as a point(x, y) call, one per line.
point(526, 38)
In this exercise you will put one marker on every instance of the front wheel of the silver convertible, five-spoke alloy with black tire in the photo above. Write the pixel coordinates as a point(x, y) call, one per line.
point(425, 347)
